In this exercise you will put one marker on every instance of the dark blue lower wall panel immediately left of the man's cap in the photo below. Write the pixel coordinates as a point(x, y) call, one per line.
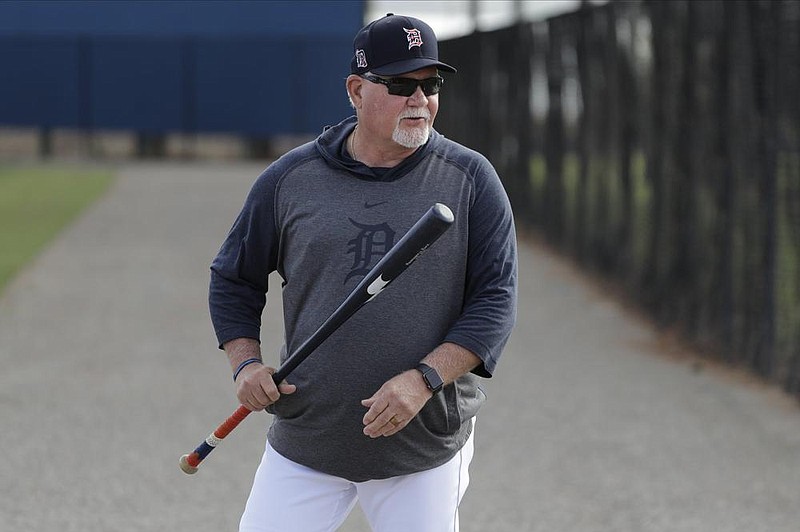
point(267, 86)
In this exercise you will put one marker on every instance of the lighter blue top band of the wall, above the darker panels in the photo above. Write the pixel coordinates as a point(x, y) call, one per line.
point(182, 18)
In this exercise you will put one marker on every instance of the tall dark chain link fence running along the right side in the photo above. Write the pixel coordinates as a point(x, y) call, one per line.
point(658, 143)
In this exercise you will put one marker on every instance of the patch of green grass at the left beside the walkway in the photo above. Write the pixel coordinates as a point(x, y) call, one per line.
point(36, 203)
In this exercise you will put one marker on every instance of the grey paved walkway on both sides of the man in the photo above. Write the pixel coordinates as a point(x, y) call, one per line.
point(110, 372)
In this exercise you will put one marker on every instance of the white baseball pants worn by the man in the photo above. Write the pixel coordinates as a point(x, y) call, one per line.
point(289, 497)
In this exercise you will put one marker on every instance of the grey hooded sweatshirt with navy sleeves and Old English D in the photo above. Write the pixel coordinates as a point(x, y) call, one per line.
point(322, 220)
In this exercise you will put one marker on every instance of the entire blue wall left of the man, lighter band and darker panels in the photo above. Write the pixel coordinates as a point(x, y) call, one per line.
point(257, 68)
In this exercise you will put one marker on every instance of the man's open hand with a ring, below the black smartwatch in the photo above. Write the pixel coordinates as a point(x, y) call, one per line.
point(395, 404)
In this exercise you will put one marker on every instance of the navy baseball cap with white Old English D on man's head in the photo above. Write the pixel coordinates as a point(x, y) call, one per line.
point(394, 45)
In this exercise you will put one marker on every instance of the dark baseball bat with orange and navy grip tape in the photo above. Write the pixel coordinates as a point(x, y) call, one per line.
point(420, 237)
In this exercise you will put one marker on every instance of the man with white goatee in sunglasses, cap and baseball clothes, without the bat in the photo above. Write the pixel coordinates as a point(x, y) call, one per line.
point(383, 412)
